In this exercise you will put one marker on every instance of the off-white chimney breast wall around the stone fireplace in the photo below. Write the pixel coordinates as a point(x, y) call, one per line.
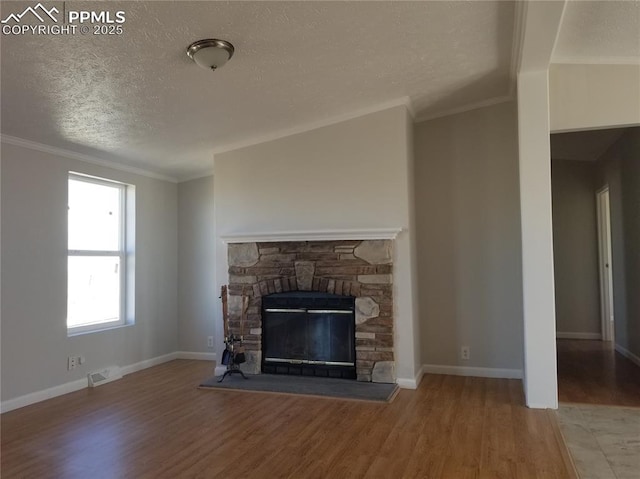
point(350, 175)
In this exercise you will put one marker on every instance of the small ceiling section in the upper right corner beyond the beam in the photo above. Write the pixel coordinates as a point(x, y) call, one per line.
point(599, 32)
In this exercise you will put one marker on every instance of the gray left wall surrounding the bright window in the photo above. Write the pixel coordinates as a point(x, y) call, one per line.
point(35, 345)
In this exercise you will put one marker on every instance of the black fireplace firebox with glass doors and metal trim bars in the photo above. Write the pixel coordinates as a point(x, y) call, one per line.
point(309, 334)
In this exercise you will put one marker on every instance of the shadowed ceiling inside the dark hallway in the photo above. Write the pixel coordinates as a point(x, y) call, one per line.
point(583, 145)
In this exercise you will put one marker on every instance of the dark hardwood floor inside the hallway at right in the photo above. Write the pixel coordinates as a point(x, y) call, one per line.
point(592, 372)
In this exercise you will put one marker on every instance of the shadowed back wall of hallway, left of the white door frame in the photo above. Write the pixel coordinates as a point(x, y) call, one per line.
point(575, 247)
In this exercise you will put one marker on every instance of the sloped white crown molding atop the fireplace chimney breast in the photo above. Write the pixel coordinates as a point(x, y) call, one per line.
point(404, 101)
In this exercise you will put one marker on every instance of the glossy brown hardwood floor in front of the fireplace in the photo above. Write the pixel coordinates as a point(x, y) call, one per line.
point(156, 424)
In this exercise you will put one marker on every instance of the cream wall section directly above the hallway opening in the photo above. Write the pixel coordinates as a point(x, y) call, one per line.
point(583, 97)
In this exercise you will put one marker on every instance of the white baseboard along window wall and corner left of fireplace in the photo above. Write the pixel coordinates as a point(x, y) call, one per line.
point(78, 384)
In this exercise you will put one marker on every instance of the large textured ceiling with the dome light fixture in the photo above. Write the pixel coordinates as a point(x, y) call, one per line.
point(137, 98)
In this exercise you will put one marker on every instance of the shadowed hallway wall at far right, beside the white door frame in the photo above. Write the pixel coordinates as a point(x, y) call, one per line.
point(619, 167)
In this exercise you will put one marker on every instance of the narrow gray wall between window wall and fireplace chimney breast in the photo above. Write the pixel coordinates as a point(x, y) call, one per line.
point(197, 297)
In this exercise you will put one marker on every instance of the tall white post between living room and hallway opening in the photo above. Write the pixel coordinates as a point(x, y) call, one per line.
point(540, 377)
